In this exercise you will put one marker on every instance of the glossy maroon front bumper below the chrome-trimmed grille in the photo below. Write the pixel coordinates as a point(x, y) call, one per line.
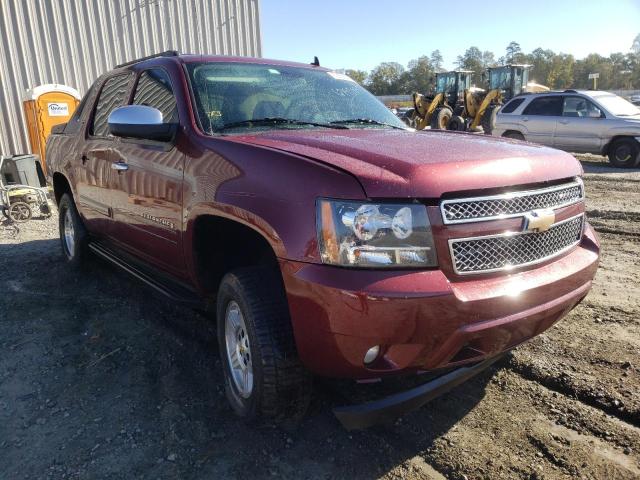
point(421, 319)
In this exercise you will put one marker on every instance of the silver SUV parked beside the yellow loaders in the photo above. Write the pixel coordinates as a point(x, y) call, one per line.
point(581, 121)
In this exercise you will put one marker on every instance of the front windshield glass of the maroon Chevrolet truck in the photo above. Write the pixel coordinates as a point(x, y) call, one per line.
point(232, 95)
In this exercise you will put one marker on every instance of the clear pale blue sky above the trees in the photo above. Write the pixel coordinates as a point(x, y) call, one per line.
point(361, 34)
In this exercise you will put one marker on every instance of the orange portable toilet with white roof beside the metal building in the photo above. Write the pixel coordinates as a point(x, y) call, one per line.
point(44, 107)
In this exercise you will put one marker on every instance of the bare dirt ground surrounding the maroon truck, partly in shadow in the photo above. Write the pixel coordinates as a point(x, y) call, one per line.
point(99, 378)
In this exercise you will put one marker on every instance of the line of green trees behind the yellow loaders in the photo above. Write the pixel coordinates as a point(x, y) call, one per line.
point(618, 71)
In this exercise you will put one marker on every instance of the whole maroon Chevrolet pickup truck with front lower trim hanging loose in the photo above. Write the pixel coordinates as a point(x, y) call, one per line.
point(326, 236)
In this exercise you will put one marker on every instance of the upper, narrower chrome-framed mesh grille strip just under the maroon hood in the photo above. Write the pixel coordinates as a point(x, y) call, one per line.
point(510, 204)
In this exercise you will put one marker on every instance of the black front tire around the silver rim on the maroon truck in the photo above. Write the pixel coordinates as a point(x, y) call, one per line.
point(281, 386)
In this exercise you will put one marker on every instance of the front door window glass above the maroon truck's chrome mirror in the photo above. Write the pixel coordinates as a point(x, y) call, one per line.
point(154, 90)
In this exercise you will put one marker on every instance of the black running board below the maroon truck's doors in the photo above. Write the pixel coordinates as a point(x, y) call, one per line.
point(174, 292)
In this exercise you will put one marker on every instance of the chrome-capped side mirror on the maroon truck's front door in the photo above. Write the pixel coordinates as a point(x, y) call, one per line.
point(140, 121)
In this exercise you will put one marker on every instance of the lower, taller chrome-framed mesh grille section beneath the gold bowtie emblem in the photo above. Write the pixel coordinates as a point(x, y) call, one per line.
point(510, 250)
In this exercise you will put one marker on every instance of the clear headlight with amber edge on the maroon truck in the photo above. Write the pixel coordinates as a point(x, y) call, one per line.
point(375, 234)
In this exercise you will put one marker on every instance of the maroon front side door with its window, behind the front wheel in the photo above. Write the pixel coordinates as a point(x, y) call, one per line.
point(147, 187)
